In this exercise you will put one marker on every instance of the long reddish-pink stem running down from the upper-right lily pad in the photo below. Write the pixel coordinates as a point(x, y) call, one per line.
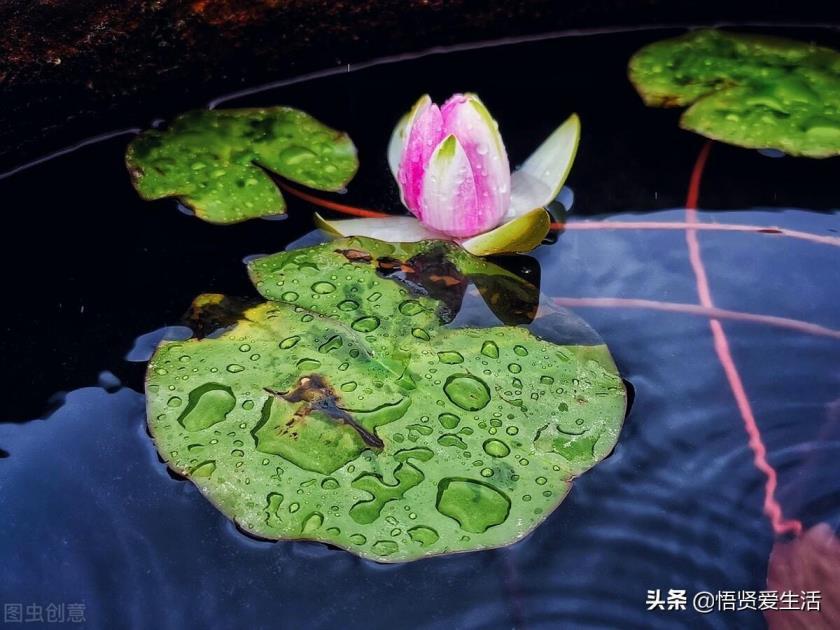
point(771, 506)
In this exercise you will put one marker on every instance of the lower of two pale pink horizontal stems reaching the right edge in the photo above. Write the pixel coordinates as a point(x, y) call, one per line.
point(696, 309)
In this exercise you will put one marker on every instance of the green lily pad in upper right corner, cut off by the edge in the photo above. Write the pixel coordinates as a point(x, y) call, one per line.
point(752, 91)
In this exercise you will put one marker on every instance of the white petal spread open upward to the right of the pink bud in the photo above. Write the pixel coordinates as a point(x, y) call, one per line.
point(541, 177)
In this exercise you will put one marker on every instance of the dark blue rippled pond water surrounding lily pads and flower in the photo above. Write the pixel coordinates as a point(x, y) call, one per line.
point(90, 515)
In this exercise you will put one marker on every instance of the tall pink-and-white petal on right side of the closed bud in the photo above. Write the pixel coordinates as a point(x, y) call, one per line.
point(465, 116)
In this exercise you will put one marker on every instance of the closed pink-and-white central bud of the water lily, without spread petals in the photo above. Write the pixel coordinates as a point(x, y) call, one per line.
point(453, 172)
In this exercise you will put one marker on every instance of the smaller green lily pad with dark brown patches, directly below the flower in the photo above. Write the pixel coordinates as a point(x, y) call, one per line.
point(436, 273)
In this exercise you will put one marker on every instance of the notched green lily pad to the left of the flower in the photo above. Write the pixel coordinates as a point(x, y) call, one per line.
point(215, 161)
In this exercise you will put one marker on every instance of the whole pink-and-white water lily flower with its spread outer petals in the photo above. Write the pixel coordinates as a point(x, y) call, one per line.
point(453, 174)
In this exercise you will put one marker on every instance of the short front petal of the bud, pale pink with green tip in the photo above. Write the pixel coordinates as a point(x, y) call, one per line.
point(448, 199)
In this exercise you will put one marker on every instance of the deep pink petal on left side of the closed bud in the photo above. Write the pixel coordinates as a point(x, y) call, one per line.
point(423, 136)
